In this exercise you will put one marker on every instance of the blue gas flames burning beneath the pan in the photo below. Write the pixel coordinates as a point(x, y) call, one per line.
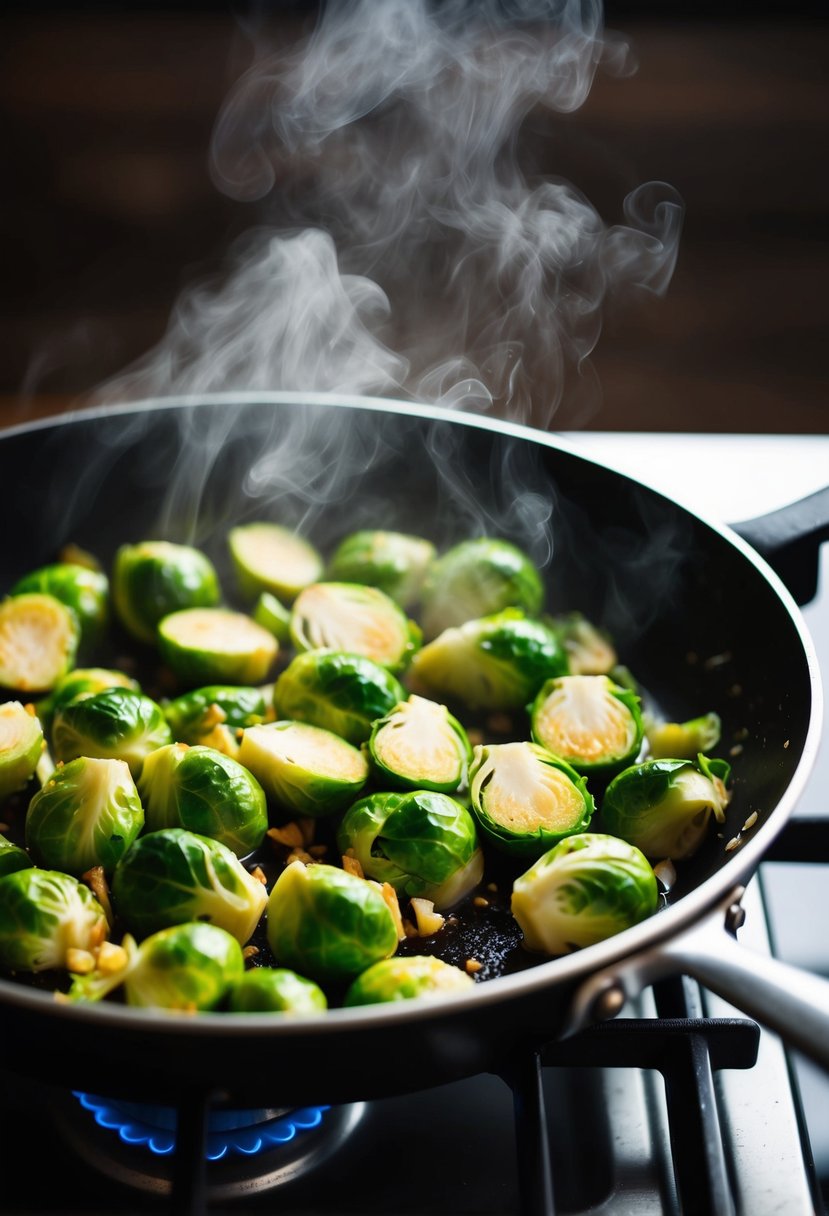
point(245, 1133)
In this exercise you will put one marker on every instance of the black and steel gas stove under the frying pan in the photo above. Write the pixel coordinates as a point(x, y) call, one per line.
point(680, 1105)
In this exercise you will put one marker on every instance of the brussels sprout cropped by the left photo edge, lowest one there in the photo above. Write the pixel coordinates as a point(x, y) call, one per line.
point(44, 915)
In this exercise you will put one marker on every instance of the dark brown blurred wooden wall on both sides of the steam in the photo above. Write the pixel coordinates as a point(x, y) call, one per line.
point(108, 209)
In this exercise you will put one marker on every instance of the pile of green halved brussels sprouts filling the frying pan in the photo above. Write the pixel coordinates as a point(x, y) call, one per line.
point(296, 789)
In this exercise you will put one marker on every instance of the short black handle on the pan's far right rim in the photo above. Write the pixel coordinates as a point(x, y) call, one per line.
point(789, 539)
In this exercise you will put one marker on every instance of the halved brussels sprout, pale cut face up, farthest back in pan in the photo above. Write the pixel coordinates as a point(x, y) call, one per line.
point(269, 558)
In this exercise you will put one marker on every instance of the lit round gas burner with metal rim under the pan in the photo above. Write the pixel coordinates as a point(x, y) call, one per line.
point(247, 1152)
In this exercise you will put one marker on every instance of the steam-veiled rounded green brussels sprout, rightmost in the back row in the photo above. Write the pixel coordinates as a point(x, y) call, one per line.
point(478, 578)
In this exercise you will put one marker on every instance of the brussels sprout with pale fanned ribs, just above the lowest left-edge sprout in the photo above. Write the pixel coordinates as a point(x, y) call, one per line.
point(88, 814)
